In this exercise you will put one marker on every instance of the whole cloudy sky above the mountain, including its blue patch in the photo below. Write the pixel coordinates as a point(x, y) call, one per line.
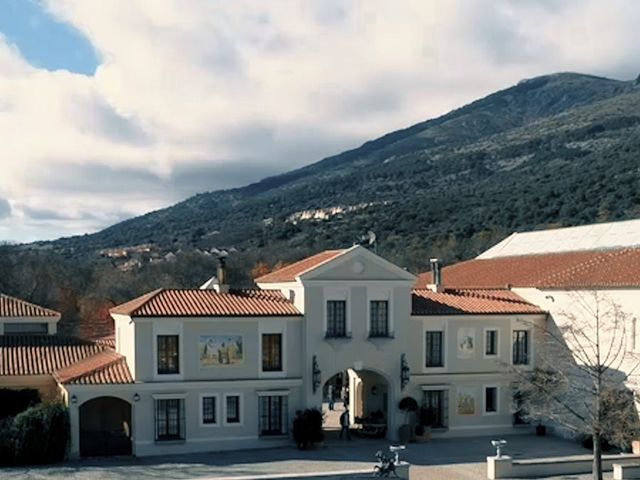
point(110, 109)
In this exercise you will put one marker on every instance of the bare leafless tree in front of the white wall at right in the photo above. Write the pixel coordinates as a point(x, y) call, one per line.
point(582, 377)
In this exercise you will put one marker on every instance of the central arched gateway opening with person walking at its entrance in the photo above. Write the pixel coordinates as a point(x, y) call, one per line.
point(366, 394)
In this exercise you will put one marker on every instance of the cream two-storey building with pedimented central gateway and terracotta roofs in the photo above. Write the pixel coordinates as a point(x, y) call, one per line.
point(214, 369)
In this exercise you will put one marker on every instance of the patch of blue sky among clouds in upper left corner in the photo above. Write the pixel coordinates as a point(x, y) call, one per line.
point(43, 40)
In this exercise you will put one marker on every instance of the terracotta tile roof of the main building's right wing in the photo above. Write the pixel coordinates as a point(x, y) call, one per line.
point(460, 302)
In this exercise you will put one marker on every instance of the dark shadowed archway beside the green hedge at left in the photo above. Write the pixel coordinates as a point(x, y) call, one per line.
point(105, 427)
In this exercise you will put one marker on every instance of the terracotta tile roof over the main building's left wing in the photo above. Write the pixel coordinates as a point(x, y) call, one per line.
point(209, 303)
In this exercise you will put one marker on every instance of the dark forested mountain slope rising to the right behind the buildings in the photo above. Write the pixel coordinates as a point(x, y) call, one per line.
point(561, 149)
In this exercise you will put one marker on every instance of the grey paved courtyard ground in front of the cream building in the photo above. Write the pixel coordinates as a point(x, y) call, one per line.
point(462, 459)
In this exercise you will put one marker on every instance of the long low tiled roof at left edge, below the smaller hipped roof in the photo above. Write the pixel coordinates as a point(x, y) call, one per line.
point(42, 354)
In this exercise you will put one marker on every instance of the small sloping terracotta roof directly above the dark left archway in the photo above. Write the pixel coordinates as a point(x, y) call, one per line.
point(106, 367)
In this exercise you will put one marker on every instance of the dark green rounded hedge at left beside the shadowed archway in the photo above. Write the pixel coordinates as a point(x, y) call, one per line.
point(38, 435)
